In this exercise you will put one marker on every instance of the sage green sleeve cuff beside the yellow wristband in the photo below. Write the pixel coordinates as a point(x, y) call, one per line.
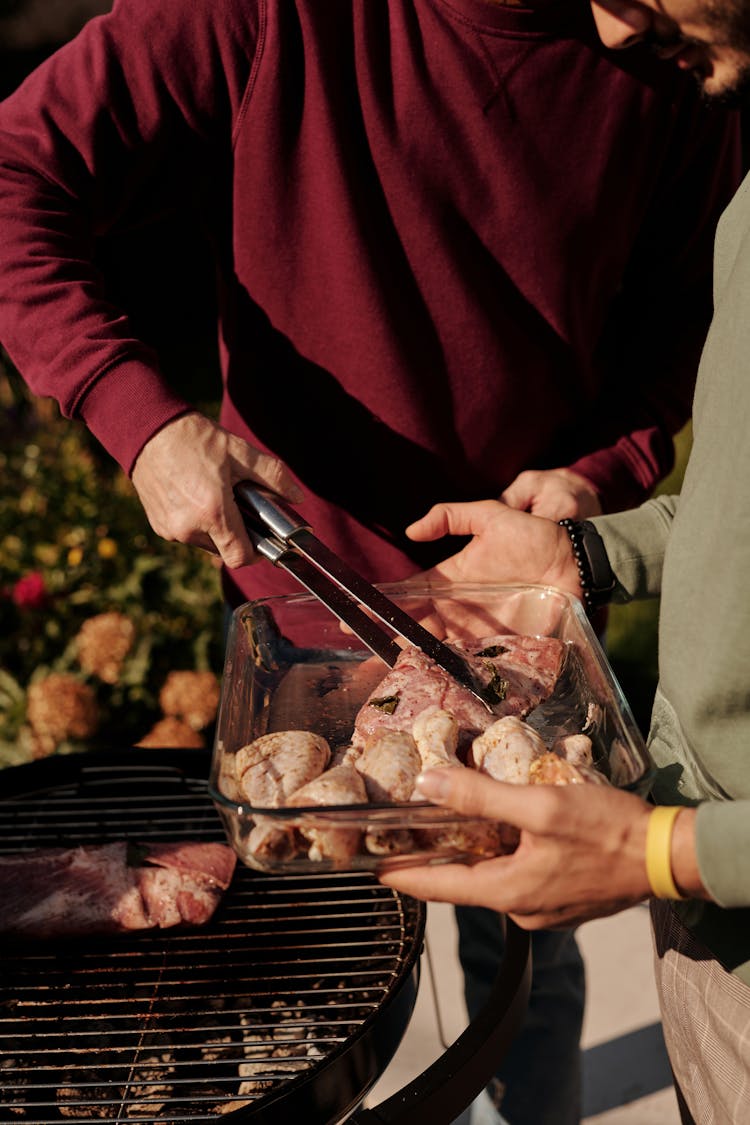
point(722, 838)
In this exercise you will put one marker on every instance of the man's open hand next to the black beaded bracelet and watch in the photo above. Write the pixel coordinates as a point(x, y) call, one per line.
point(508, 546)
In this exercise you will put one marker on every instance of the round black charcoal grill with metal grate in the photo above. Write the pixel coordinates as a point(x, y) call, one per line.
point(287, 1006)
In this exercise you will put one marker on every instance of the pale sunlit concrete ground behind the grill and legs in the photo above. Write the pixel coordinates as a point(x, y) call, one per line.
point(626, 1070)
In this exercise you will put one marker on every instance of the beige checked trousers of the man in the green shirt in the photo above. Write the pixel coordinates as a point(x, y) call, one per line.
point(706, 1013)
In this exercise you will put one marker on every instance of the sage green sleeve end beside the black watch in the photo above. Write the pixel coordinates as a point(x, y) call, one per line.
point(636, 543)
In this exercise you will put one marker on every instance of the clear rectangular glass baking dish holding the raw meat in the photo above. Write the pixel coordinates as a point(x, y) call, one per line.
point(292, 667)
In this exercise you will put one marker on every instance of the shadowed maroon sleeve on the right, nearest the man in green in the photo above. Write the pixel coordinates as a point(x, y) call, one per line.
point(652, 345)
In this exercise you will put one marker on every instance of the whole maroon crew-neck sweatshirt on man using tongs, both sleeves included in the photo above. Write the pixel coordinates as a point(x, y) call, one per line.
point(455, 240)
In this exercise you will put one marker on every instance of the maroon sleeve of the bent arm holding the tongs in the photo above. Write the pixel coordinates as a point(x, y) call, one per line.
point(131, 120)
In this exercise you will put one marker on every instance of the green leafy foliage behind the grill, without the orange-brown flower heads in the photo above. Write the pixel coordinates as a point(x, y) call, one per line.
point(75, 543)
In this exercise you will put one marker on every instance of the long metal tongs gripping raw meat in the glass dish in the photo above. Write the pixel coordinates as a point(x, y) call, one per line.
point(284, 538)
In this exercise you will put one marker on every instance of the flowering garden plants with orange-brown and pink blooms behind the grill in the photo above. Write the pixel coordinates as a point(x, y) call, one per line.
point(96, 611)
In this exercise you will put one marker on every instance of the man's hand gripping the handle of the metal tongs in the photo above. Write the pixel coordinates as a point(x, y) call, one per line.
point(185, 478)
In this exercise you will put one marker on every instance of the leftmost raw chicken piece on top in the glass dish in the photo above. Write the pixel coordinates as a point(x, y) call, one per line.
point(276, 766)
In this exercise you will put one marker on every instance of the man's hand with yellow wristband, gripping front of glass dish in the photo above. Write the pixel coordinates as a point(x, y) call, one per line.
point(582, 853)
